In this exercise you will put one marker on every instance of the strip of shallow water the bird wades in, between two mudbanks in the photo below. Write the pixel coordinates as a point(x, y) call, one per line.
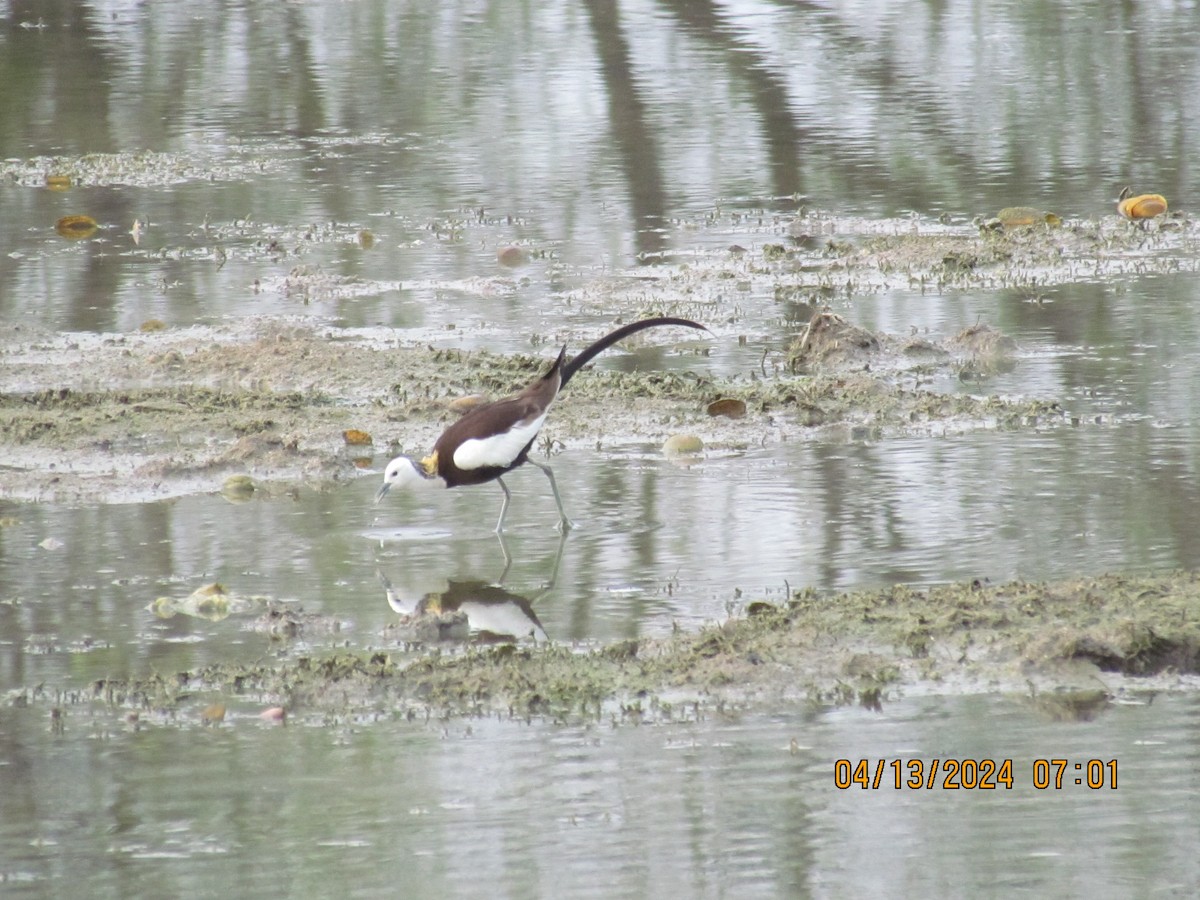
point(644, 559)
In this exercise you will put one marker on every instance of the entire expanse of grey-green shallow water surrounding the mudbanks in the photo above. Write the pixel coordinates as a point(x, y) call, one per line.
point(605, 142)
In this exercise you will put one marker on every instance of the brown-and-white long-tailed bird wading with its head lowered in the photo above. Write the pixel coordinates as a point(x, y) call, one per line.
point(495, 439)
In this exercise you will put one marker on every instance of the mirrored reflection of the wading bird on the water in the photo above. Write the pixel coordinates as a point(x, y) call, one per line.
point(471, 610)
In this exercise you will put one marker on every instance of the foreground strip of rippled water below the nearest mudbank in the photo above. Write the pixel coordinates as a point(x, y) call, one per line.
point(745, 805)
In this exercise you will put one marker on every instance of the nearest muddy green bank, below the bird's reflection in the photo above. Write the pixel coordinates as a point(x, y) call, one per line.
point(1070, 647)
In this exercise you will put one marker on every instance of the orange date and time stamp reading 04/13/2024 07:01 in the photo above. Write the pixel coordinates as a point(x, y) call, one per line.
point(956, 775)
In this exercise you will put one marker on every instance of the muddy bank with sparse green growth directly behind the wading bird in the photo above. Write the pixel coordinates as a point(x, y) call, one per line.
point(135, 417)
